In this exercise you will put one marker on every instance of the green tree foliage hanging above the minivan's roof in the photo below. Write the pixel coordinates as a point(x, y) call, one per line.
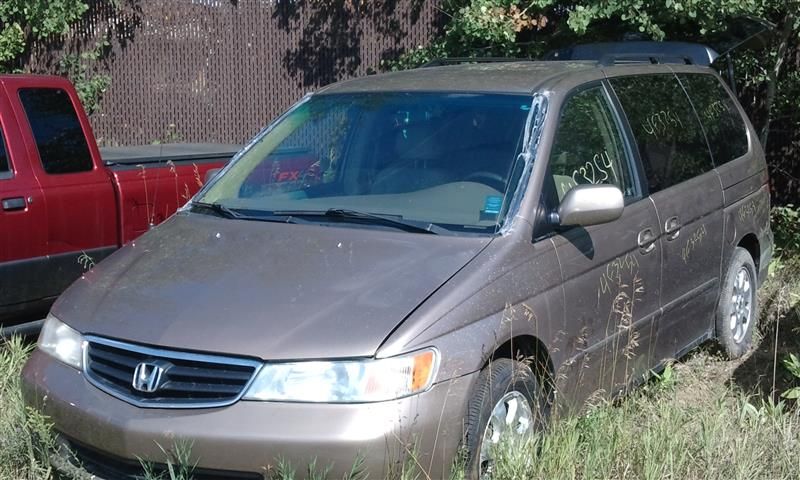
point(527, 28)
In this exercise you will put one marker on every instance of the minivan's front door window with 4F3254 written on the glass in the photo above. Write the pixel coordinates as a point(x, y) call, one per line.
point(588, 147)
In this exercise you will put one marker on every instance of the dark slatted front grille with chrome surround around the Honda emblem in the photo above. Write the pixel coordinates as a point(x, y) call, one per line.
point(188, 380)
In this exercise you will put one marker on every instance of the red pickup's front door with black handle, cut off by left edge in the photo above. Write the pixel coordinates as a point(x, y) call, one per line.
point(22, 222)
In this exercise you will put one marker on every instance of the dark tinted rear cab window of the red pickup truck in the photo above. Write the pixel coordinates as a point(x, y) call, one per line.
point(59, 137)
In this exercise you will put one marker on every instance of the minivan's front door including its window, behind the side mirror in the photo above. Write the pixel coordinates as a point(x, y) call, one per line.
point(611, 271)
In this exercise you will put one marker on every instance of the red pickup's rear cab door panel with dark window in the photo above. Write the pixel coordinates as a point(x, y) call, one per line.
point(79, 196)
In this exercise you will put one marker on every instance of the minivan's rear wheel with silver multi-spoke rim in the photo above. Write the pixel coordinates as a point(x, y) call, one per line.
point(737, 310)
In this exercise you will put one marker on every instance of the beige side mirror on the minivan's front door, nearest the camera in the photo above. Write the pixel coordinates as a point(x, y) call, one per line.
point(586, 205)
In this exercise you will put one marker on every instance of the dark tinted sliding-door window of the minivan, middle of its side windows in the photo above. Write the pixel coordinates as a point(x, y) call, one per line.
point(669, 137)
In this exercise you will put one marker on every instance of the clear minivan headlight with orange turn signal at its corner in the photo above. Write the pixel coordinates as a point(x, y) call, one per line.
point(350, 381)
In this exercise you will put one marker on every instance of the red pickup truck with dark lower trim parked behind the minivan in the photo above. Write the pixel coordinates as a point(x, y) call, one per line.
point(66, 205)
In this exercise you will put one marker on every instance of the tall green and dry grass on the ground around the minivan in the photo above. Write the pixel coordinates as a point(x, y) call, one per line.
point(703, 417)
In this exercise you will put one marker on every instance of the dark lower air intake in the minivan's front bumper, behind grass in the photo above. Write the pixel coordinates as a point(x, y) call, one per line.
point(105, 466)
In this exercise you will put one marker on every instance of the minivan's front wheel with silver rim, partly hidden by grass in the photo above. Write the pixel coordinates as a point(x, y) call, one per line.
point(507, 405)
